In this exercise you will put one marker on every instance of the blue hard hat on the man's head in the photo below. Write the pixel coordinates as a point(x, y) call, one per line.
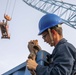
point(49, 21)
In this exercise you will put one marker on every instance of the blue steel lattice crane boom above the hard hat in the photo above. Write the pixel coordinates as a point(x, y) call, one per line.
point(65, 10)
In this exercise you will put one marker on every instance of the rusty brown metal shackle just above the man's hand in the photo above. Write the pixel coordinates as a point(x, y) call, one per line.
point(33, 48)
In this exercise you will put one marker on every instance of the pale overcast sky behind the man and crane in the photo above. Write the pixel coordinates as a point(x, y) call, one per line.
point(24, 27)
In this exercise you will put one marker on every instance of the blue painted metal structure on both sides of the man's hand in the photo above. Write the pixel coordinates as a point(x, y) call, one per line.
point(42, 59)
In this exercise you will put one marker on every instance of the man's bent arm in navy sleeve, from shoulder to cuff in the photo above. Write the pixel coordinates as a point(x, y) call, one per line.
point(62, 63)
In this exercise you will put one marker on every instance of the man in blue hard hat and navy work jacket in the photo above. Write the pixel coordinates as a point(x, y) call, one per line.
point(64, 53)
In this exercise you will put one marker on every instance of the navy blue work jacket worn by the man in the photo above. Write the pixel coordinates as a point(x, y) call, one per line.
point(63, 60)
